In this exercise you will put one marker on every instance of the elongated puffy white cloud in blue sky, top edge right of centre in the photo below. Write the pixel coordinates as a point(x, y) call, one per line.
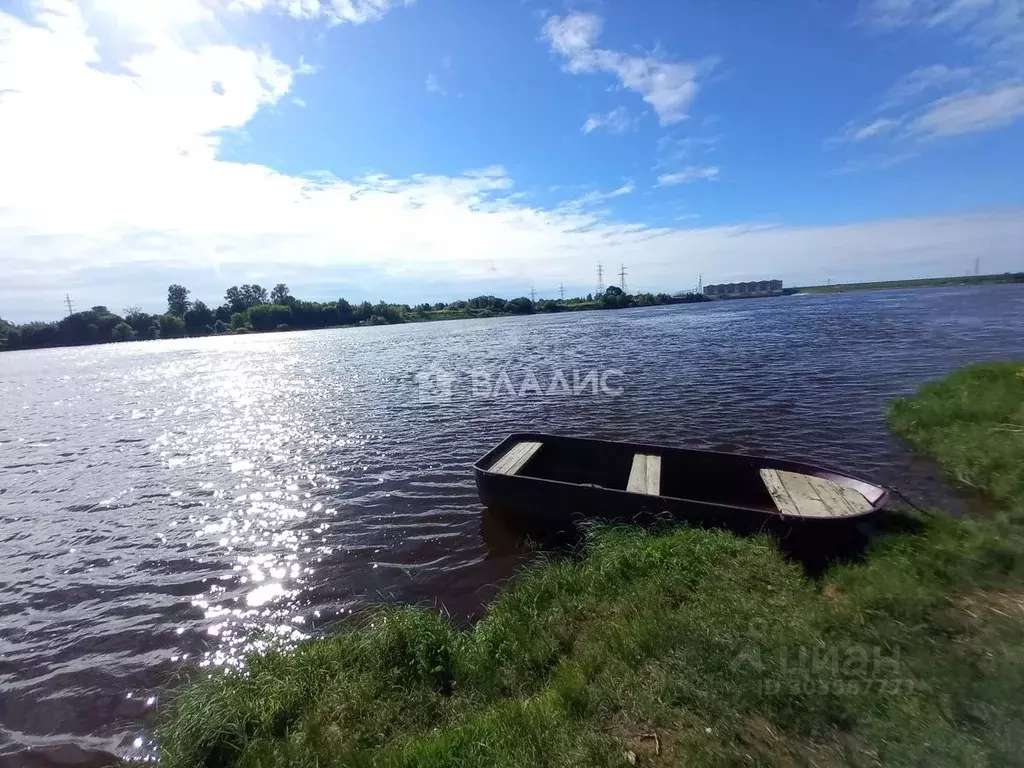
point(668, 88)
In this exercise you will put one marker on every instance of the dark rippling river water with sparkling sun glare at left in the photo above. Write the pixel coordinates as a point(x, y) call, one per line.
point(167, 506)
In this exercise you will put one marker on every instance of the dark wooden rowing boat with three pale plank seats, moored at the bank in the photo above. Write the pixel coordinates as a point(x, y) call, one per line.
point(547, 480)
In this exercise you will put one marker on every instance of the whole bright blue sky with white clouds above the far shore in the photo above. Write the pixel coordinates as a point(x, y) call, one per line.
point(436, 150)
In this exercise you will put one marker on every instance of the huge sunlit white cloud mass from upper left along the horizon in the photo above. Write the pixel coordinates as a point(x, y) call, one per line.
point(113, 187)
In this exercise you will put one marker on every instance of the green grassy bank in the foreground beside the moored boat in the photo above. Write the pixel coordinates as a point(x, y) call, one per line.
point(690, 648)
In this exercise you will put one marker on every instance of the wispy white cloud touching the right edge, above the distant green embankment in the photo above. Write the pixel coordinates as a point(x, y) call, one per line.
point(970, 112)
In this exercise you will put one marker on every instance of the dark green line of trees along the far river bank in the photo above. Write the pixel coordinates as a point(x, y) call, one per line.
point(252, 309)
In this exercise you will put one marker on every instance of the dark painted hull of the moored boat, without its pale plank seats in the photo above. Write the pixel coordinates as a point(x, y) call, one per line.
point(572, 480)
